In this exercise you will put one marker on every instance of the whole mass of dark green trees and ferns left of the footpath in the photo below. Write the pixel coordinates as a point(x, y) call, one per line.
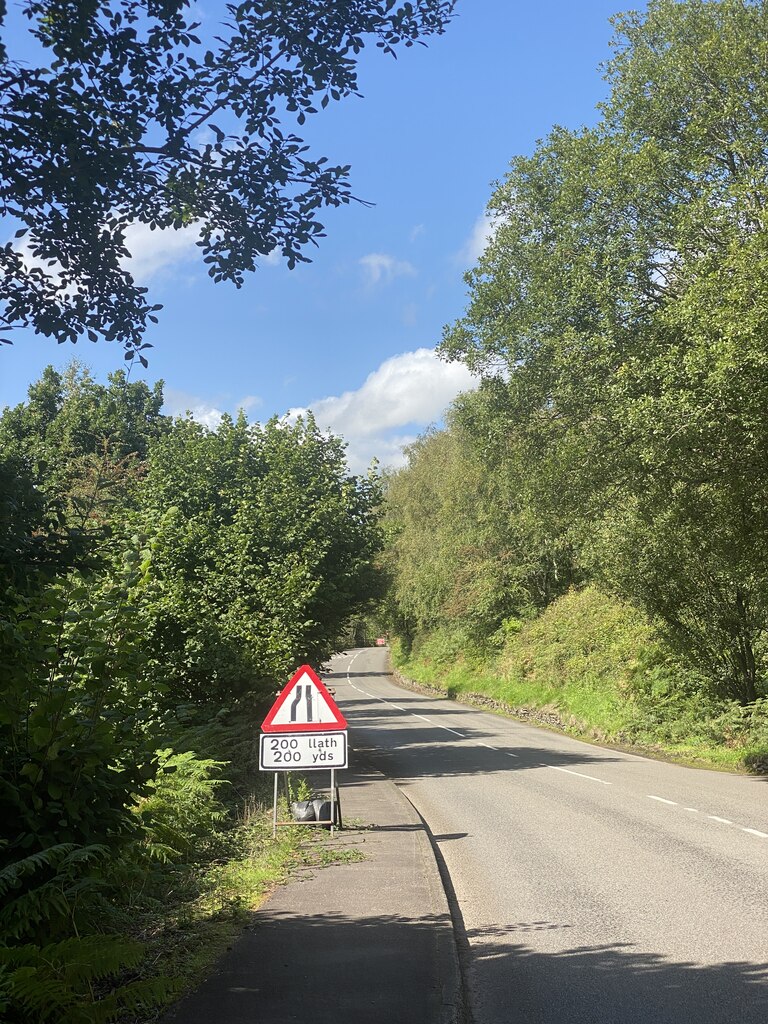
point(151, 574)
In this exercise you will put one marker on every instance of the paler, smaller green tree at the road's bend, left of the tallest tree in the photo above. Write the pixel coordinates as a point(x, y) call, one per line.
point(472, 541)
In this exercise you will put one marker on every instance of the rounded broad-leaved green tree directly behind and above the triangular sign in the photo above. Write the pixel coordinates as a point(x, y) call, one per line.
point(264, 548)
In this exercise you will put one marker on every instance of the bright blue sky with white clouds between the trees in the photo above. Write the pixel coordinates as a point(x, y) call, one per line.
point(352, 335)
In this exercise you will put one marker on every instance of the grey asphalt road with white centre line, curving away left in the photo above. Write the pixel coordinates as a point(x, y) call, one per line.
point(592, 886)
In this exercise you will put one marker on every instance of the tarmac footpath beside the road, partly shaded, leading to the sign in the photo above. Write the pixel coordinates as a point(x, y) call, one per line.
point(364, 943)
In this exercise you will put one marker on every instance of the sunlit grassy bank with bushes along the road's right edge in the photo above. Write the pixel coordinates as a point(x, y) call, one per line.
point(594, 668)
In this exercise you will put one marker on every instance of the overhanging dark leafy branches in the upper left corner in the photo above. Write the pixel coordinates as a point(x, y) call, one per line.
point(133, 118)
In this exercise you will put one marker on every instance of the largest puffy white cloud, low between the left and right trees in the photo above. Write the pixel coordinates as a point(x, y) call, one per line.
point(405, 395)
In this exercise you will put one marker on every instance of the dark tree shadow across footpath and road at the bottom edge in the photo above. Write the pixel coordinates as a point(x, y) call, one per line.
point(330, 968)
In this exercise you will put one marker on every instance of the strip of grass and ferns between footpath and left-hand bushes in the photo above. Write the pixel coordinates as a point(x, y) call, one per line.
point(189, 913)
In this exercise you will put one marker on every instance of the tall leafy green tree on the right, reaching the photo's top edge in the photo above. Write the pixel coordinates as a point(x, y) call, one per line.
point(622, 309)
